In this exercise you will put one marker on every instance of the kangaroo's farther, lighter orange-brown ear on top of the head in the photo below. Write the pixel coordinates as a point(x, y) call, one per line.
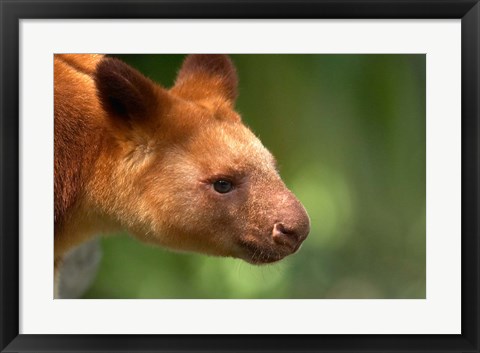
point(207, 75)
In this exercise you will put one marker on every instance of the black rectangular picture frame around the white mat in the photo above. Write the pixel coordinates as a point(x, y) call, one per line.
point(12, 11)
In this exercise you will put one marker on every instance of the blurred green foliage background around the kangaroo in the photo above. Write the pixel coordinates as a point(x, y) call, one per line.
point(348, 132)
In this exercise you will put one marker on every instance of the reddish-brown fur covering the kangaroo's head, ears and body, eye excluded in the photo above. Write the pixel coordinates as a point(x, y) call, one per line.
point(130, 154)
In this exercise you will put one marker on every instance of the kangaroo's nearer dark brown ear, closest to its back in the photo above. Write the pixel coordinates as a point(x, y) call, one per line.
point(124, 92)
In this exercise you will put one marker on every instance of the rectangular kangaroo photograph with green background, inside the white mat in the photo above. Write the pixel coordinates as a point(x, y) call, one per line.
point(239, 176)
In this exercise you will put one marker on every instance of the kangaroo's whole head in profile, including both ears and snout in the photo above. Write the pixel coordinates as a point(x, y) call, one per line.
point(181, 170)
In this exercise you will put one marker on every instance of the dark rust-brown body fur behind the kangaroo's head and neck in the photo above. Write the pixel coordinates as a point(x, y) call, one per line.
point(78, 115)
